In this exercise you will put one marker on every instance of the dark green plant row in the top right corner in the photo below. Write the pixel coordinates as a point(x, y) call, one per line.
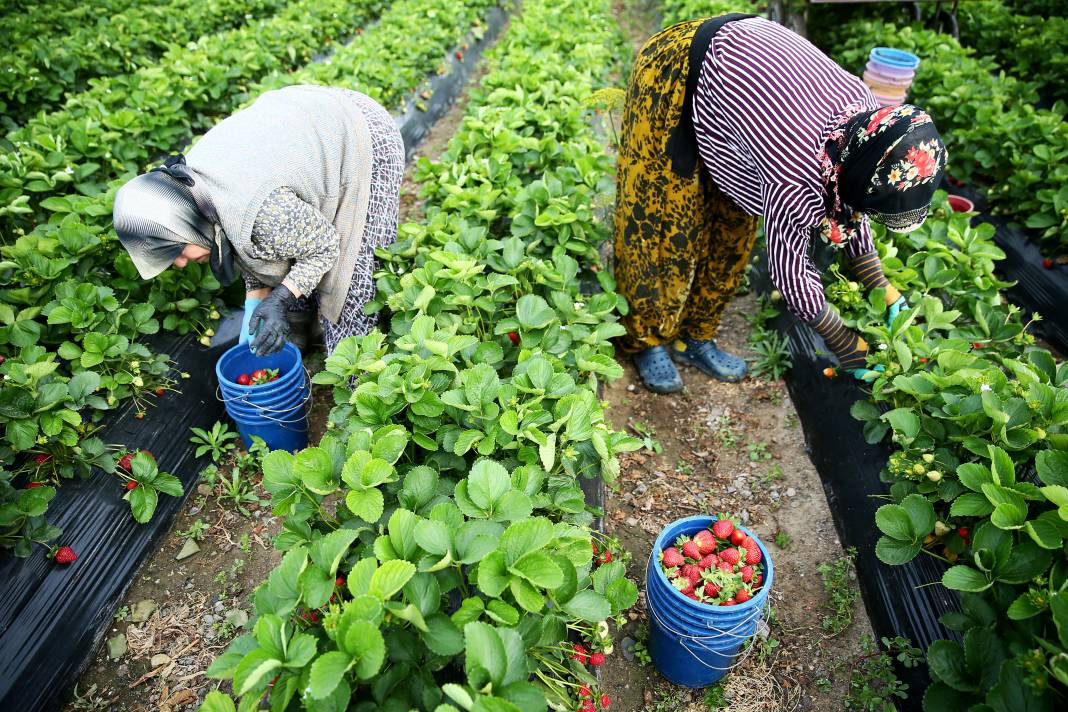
point(1030, 48)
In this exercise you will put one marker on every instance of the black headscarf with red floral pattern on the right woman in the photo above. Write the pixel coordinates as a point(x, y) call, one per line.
point(886, 164)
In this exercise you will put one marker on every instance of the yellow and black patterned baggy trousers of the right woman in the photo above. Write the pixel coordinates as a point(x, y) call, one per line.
point(681, 245)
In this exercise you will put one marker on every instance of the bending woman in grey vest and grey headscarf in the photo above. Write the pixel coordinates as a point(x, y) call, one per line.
point(295, 192)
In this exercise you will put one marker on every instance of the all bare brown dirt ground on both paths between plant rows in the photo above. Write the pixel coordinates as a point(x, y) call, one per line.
point(724, 448)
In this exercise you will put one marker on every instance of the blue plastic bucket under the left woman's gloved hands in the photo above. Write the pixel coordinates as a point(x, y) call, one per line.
point(276, 412)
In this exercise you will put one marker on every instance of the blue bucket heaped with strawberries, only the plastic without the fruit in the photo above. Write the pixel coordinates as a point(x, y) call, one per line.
point(694, 644)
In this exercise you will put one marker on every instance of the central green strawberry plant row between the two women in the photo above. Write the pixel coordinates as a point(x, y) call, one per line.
point(438, 552)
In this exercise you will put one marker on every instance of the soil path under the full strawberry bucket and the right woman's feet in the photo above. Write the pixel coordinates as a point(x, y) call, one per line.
point(737, 449)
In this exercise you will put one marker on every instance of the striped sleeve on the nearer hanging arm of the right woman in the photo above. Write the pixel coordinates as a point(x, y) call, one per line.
point(788, 236)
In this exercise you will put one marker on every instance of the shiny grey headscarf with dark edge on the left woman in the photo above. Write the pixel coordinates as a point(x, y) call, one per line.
point(156, 216)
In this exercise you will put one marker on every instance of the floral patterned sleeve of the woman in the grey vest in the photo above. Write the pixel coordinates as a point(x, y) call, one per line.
point(290, 229)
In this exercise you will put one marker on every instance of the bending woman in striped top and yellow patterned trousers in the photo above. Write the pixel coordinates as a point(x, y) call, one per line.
point(782, 133)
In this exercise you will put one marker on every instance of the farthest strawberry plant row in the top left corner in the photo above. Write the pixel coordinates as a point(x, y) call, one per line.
point(42, 69)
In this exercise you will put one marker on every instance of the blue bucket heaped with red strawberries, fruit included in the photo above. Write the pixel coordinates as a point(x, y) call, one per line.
point(706, 590)
